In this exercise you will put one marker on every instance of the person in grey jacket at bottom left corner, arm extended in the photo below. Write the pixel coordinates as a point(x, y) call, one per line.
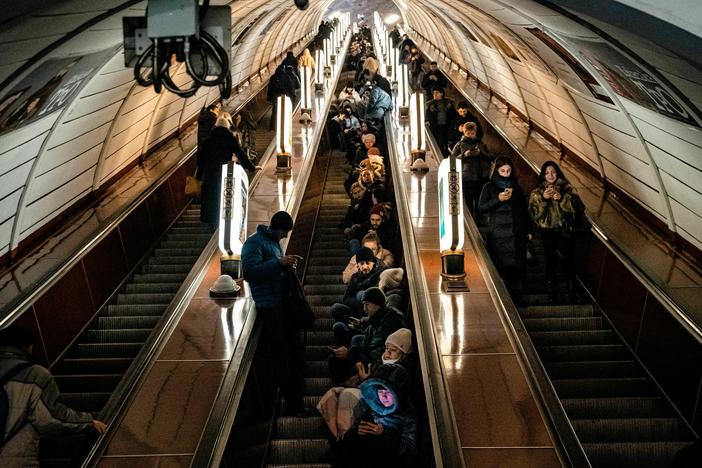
point(33, 407)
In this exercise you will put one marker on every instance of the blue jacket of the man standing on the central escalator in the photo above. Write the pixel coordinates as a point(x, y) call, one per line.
point(260, 266)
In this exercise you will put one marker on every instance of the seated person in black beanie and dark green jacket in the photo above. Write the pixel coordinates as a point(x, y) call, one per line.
point(369, 347)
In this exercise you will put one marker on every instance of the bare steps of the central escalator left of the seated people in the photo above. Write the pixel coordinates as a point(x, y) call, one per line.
point(303, 441)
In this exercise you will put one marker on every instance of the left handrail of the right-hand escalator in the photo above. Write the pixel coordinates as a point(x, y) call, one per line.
point(568, 445)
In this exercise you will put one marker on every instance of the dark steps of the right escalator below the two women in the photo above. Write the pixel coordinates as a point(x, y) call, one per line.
point(618, 413)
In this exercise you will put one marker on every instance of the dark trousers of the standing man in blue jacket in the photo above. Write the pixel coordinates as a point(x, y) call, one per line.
point(287, 350)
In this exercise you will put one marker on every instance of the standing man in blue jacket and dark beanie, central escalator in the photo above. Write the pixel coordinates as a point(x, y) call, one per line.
point(267, 271)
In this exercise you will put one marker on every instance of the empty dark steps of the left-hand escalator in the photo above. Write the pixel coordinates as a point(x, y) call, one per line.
point(92, 368)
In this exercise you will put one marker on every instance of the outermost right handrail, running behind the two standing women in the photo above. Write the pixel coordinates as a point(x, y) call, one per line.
point(694, 329)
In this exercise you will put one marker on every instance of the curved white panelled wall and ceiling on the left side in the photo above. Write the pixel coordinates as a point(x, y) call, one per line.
point(89, 120)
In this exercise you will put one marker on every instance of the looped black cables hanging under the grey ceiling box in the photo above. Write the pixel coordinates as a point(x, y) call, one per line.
point(200, 54)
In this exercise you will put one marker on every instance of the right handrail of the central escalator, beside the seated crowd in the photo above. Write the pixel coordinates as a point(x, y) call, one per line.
point(442, 420)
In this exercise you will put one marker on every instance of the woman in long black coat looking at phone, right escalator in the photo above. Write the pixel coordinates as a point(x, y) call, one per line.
point(503, 204)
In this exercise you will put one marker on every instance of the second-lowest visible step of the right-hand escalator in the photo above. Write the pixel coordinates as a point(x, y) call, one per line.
point(627, 430)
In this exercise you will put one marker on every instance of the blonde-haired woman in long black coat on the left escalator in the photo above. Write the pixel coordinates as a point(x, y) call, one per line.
point(217, 149)
